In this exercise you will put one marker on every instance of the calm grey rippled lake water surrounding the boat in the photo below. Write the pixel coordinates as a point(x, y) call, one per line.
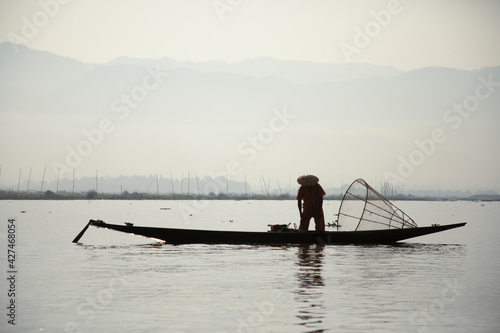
point(114, 282)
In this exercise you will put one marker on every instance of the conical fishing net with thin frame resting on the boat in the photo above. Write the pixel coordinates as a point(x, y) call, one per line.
point(363, 208)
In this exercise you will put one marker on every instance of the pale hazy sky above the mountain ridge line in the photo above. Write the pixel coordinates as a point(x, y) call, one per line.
point(405, 34)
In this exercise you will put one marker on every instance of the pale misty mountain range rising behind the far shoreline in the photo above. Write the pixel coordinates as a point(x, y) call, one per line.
point(188, 112)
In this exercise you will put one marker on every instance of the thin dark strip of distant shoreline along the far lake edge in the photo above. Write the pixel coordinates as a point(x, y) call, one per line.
point(92, 195)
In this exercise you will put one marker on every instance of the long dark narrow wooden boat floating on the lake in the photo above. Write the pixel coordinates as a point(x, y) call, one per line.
point(284, 236)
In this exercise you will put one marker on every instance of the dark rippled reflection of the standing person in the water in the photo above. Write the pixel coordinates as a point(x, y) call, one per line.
point(311, 310)
